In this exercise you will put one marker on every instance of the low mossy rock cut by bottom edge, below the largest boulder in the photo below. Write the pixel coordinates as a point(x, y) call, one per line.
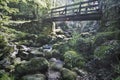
point(34, 77)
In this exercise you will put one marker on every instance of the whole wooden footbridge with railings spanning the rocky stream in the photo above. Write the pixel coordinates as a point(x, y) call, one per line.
point(87, 10)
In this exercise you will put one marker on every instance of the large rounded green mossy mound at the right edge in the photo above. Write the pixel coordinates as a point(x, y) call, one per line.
point(108, 49)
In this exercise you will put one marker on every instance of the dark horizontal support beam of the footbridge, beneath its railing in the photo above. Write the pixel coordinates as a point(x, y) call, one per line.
point(81, 17)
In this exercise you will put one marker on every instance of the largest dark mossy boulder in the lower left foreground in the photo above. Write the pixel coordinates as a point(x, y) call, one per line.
point(34, 65)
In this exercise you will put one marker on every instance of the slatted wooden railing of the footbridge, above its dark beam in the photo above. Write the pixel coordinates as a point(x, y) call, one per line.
point(86, 7)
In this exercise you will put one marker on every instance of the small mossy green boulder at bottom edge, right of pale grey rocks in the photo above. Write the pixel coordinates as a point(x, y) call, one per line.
point(68, 75)
